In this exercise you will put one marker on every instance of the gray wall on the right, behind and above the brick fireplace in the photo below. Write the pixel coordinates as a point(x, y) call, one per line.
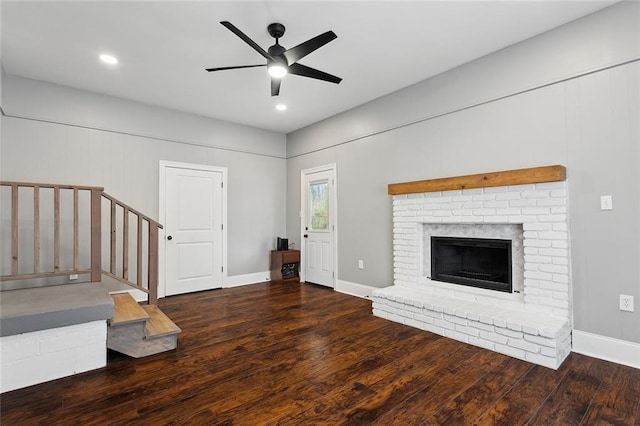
point(569, 96)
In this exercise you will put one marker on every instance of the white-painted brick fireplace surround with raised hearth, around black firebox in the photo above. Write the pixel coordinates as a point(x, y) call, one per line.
point(534, 324)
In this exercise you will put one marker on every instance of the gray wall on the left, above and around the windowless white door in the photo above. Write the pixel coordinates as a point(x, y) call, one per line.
point(57, 134)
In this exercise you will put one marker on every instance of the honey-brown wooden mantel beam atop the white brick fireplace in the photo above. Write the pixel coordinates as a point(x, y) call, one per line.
point(483, 180)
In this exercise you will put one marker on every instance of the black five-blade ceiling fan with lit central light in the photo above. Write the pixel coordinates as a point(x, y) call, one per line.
point(281, 61)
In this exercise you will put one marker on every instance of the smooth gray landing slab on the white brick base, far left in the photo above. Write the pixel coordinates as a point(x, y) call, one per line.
point(41, 308)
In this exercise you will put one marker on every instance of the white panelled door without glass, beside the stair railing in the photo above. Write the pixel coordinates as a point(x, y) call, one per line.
point(193, 230)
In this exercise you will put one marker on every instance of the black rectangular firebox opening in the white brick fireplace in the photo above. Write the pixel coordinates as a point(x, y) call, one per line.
point(476, 262)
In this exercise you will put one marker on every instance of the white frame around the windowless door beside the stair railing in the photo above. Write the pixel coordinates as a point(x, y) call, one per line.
point(164, 165)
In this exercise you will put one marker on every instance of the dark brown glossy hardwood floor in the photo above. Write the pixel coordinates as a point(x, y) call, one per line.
point(278, 353)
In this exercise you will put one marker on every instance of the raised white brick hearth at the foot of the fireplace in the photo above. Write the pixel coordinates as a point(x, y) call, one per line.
point(531, 336)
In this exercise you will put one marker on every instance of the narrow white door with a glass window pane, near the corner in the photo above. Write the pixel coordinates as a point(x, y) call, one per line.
point(319, 227)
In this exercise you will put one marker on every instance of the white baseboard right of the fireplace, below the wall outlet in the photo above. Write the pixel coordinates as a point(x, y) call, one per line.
point(606, 348)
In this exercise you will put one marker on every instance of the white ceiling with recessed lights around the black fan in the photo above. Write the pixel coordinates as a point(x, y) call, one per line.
point(164, 47)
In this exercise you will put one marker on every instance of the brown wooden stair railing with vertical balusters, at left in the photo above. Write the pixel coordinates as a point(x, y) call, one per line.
point(43, 216)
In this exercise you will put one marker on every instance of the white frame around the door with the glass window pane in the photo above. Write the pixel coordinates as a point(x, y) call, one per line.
point(333, 210)
